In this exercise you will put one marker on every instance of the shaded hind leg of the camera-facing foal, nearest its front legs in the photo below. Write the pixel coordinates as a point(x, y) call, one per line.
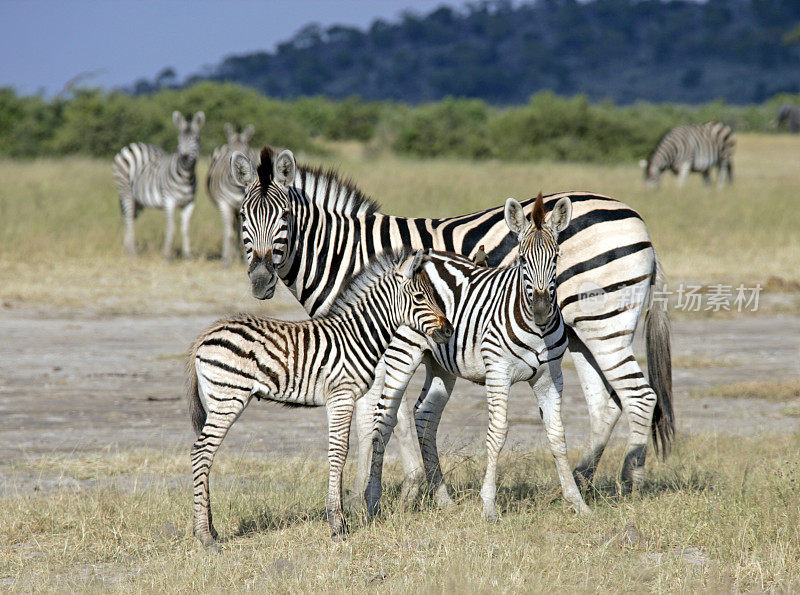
point(435, 394)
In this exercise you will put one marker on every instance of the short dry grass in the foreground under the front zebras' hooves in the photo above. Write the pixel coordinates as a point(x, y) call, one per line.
point(722, 514)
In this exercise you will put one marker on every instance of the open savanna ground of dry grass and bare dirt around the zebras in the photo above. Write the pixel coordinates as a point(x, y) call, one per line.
point(95, 488)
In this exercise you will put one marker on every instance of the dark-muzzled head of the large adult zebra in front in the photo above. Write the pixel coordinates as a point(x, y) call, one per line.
point(265, 214)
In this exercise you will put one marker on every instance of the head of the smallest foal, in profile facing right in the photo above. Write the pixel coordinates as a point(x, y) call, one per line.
point(418, 303)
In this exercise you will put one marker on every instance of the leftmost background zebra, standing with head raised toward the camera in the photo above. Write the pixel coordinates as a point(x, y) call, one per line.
point(147, 176)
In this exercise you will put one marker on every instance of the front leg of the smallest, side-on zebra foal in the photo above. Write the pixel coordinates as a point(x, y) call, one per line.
point(339, 406)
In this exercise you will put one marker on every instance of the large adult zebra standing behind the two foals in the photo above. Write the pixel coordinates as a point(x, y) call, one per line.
point(328, 229)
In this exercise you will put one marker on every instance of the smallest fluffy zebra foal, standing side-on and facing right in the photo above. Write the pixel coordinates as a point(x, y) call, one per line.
point(327, 361)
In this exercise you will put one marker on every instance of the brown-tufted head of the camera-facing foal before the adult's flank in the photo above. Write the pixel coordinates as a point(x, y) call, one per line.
point(538, 249)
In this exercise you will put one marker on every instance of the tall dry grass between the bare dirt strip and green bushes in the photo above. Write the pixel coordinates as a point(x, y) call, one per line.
point(61, 233)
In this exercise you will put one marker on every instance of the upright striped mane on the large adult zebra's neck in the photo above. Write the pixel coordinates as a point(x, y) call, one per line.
point(334, 193)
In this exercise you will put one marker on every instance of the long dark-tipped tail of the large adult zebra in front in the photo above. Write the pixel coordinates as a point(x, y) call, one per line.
point(659, 365)
